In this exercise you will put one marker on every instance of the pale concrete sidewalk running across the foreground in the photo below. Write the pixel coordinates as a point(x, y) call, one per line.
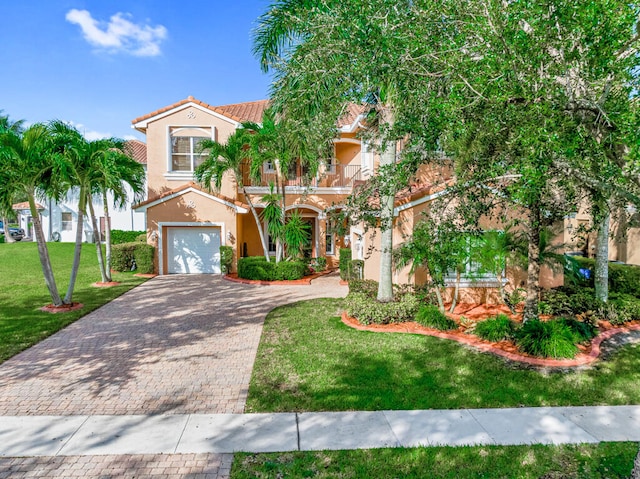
point(227, 433)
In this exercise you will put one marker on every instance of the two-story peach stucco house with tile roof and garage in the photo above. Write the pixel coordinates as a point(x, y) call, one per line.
point(188, 223)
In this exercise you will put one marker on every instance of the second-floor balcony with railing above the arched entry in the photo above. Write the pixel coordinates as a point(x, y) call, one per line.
point(334, 176)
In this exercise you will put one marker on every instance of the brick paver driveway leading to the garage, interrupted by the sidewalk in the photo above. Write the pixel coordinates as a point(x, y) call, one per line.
point(174, 345)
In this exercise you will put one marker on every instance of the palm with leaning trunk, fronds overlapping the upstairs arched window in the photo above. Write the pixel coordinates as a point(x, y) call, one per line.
point(229, 157)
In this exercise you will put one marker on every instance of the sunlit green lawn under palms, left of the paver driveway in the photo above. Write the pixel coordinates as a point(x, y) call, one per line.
point(23, 292)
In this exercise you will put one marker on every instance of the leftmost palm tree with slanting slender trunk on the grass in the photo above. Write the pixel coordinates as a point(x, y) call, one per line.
point(27, 163)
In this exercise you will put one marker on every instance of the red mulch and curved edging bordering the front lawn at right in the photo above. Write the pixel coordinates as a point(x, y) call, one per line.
point(474, 312)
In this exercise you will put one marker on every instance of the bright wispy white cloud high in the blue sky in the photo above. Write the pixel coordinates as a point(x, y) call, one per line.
point(119, 34)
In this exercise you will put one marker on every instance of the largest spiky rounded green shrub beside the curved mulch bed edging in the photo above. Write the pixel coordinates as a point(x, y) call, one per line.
point(551, 339)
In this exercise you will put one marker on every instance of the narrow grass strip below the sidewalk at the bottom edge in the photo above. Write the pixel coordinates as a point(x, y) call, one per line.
point(606, 460)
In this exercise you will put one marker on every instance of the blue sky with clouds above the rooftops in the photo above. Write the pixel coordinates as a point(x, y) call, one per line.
point(99, 64)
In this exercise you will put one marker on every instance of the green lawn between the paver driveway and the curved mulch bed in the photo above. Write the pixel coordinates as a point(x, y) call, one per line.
point(308, 360)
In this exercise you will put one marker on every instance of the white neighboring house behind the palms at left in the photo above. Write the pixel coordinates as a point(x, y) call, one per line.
point(59, 219)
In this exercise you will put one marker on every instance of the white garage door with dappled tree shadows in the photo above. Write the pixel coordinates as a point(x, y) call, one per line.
point(193, 250)
